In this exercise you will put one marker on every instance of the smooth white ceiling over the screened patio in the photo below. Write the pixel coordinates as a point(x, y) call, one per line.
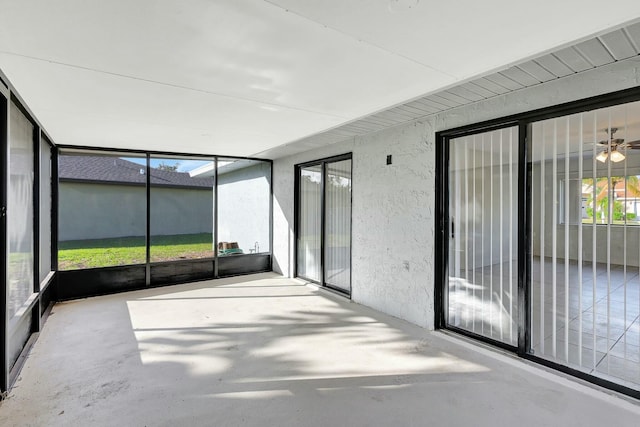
point(241, 77)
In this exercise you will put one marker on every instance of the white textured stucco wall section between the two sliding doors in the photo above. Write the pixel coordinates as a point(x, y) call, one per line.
point(393, 221)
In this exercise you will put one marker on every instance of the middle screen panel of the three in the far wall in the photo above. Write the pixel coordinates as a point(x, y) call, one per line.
point(181, 208)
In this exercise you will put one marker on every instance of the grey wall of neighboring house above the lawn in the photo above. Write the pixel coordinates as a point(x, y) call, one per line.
point(97, 211)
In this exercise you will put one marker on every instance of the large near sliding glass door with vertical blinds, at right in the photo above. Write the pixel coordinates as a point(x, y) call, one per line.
point(543, 256)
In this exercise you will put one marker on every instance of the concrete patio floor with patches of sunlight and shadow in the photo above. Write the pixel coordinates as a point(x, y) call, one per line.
point(266, 351)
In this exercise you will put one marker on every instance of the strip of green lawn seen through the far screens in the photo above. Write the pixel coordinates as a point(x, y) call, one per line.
point(77, 254)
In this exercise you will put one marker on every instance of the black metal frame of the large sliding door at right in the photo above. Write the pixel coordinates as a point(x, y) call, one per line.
point(523, 122)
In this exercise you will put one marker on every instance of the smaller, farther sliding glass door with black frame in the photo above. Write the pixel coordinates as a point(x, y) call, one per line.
point(324, 223)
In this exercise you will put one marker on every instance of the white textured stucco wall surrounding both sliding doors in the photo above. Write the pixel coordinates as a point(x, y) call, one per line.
point(393, 205)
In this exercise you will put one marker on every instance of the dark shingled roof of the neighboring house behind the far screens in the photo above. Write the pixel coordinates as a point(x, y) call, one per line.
point(117, 170)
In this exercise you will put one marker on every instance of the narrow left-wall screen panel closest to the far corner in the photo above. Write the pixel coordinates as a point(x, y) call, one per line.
point(45, 210)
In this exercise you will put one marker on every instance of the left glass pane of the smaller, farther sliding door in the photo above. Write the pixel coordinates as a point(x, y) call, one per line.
point(310, 222)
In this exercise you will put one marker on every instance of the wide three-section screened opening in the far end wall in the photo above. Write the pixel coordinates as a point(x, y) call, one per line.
point(109, 201)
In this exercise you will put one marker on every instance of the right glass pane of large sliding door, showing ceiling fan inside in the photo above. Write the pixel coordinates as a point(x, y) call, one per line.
point(585, 294)
